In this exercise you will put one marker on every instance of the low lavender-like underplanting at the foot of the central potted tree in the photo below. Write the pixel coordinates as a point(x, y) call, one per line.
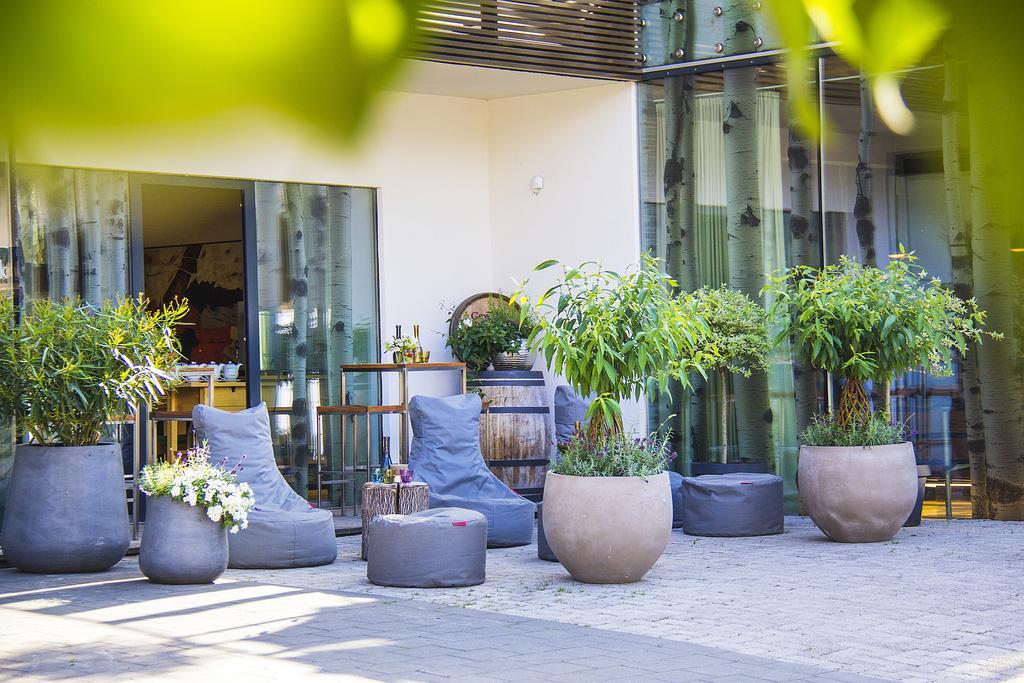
point(614, 456)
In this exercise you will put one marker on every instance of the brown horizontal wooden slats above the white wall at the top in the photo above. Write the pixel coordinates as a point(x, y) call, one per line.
point(595, 38)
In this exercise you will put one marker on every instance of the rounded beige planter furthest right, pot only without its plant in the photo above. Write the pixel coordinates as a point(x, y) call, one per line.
point(859, 495)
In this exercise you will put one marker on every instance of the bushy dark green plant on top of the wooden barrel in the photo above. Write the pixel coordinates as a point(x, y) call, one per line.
point(480, 336)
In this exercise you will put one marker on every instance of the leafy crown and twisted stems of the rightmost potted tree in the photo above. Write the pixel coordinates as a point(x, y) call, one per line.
point(866, 324)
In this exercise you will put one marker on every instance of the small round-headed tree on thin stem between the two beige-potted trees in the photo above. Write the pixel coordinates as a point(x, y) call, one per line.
point(739, 329)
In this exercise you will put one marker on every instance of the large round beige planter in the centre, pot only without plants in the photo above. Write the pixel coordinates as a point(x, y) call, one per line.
point(608, 530)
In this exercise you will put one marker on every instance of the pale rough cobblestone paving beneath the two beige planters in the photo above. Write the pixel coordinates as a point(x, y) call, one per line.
point(944, 602)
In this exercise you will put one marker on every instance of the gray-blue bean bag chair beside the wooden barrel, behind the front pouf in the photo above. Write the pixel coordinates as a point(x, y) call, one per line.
point(446, 455)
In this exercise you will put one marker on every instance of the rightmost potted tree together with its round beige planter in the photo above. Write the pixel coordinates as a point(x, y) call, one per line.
point(858, 475)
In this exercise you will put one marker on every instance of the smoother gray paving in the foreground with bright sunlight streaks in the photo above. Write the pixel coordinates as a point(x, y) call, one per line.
point(118, 627)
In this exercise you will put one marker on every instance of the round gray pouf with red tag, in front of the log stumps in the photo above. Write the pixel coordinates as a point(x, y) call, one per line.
point(438, 548)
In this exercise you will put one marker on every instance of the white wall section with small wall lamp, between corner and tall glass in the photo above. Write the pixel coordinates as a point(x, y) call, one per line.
point(584, 144)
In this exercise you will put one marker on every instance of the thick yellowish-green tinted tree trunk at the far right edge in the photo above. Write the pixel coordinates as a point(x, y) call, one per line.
point(999, 370)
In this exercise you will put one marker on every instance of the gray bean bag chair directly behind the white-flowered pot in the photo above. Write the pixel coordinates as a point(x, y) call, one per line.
point(284, 530)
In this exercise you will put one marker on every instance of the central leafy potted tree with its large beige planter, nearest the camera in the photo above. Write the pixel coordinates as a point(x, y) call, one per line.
point(608, 504)
